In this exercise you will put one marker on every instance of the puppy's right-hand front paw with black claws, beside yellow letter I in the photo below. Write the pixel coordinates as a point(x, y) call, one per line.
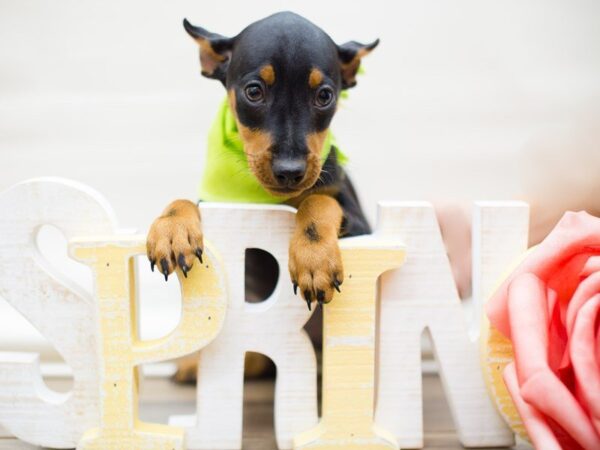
point(315, 263)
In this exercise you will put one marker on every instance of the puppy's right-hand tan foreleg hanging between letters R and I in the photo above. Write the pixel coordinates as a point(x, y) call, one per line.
point(315, 261)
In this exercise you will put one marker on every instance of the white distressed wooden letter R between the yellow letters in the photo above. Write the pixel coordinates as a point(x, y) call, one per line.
point(272, 327)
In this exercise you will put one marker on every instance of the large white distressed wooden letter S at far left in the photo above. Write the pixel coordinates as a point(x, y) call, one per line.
point(61, 311)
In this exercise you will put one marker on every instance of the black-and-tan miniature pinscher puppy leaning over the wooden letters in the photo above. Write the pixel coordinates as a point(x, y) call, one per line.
point(283, 76)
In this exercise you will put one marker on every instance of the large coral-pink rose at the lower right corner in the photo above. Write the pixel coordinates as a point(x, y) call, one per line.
point(550, 310)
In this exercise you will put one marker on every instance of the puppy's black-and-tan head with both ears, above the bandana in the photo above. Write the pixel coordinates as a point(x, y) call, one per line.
point(283, 76)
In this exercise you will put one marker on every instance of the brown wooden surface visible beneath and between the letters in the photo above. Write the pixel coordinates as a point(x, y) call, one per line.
point(160, 398)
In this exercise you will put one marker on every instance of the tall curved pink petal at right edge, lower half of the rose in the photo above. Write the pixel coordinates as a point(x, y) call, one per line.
point(583, 356)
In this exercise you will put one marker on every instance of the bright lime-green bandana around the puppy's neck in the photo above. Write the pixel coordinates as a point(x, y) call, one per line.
point(227, 177)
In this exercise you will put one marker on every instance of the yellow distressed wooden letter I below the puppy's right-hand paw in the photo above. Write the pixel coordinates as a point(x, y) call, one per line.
point(349, 328)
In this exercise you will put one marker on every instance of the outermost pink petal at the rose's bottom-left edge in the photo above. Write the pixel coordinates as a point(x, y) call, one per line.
point(537, 428)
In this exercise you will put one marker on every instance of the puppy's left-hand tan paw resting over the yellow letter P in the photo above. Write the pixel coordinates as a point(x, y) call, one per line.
point(175, 238)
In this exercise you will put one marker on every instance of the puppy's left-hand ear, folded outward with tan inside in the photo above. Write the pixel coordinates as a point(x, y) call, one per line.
point(215, 51)
